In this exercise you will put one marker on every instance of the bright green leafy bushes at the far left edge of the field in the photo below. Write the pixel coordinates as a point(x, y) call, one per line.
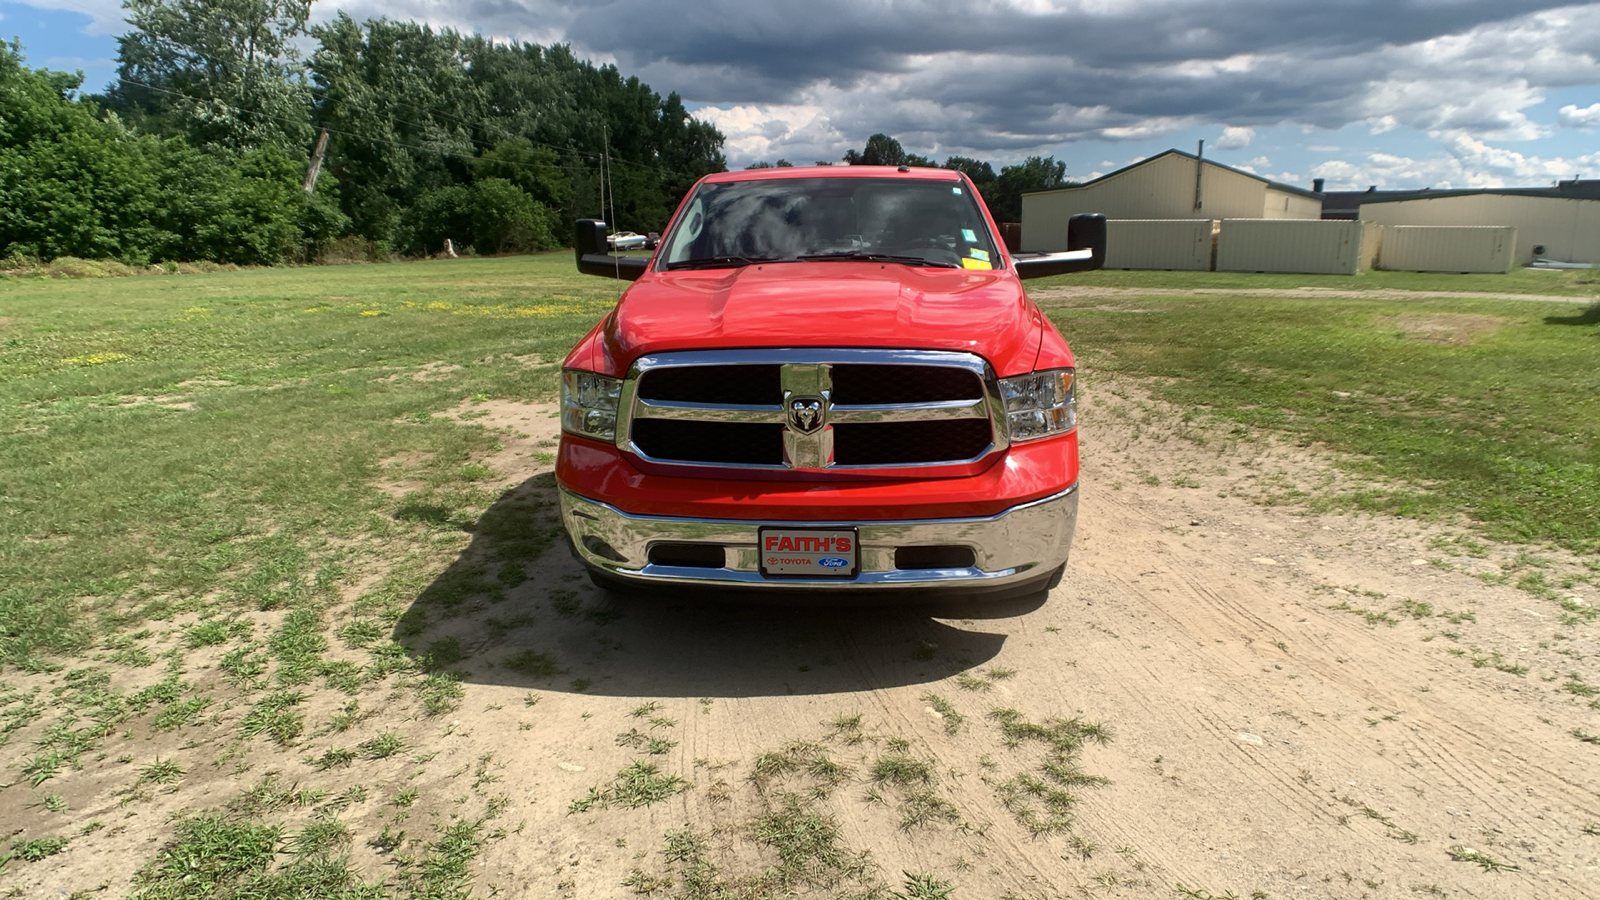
point(82, 187)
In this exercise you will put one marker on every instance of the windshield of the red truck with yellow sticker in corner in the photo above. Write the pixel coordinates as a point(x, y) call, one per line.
point(897, 220)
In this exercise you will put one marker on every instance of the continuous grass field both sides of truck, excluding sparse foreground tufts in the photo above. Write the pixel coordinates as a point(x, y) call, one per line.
point(212, 436)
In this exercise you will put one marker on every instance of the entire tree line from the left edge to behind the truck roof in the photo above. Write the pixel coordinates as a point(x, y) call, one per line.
point(202, 147)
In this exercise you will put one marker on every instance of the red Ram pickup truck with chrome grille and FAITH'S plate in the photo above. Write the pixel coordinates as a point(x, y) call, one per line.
point(825, 379)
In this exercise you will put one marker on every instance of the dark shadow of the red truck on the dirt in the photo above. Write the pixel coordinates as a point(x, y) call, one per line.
point(516, 609)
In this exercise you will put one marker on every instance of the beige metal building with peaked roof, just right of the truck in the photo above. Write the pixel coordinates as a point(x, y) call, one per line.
point(1169, 187)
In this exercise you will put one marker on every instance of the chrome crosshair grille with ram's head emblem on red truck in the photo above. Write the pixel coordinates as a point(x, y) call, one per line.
point(810, 409)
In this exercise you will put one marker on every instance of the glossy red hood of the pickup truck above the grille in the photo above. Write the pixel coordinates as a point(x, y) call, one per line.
point(825, 305)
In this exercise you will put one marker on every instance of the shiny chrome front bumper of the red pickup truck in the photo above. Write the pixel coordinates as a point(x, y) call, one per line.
point(1023, 544)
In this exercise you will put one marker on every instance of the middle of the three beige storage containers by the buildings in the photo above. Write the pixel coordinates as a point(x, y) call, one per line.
point(1279, 246)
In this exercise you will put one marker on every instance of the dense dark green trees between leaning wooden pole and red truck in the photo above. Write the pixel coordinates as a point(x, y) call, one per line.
point(414, 110)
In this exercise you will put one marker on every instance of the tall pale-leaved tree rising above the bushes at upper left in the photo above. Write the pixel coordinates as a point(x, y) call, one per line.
point(217, 71)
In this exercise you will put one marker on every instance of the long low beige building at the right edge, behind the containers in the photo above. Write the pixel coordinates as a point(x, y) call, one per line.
point(1567, 228)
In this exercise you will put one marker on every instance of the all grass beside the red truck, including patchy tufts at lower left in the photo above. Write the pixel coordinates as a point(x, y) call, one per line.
point(182, 456)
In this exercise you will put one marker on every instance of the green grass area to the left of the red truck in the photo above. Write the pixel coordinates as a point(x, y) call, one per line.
point(164, 441)
